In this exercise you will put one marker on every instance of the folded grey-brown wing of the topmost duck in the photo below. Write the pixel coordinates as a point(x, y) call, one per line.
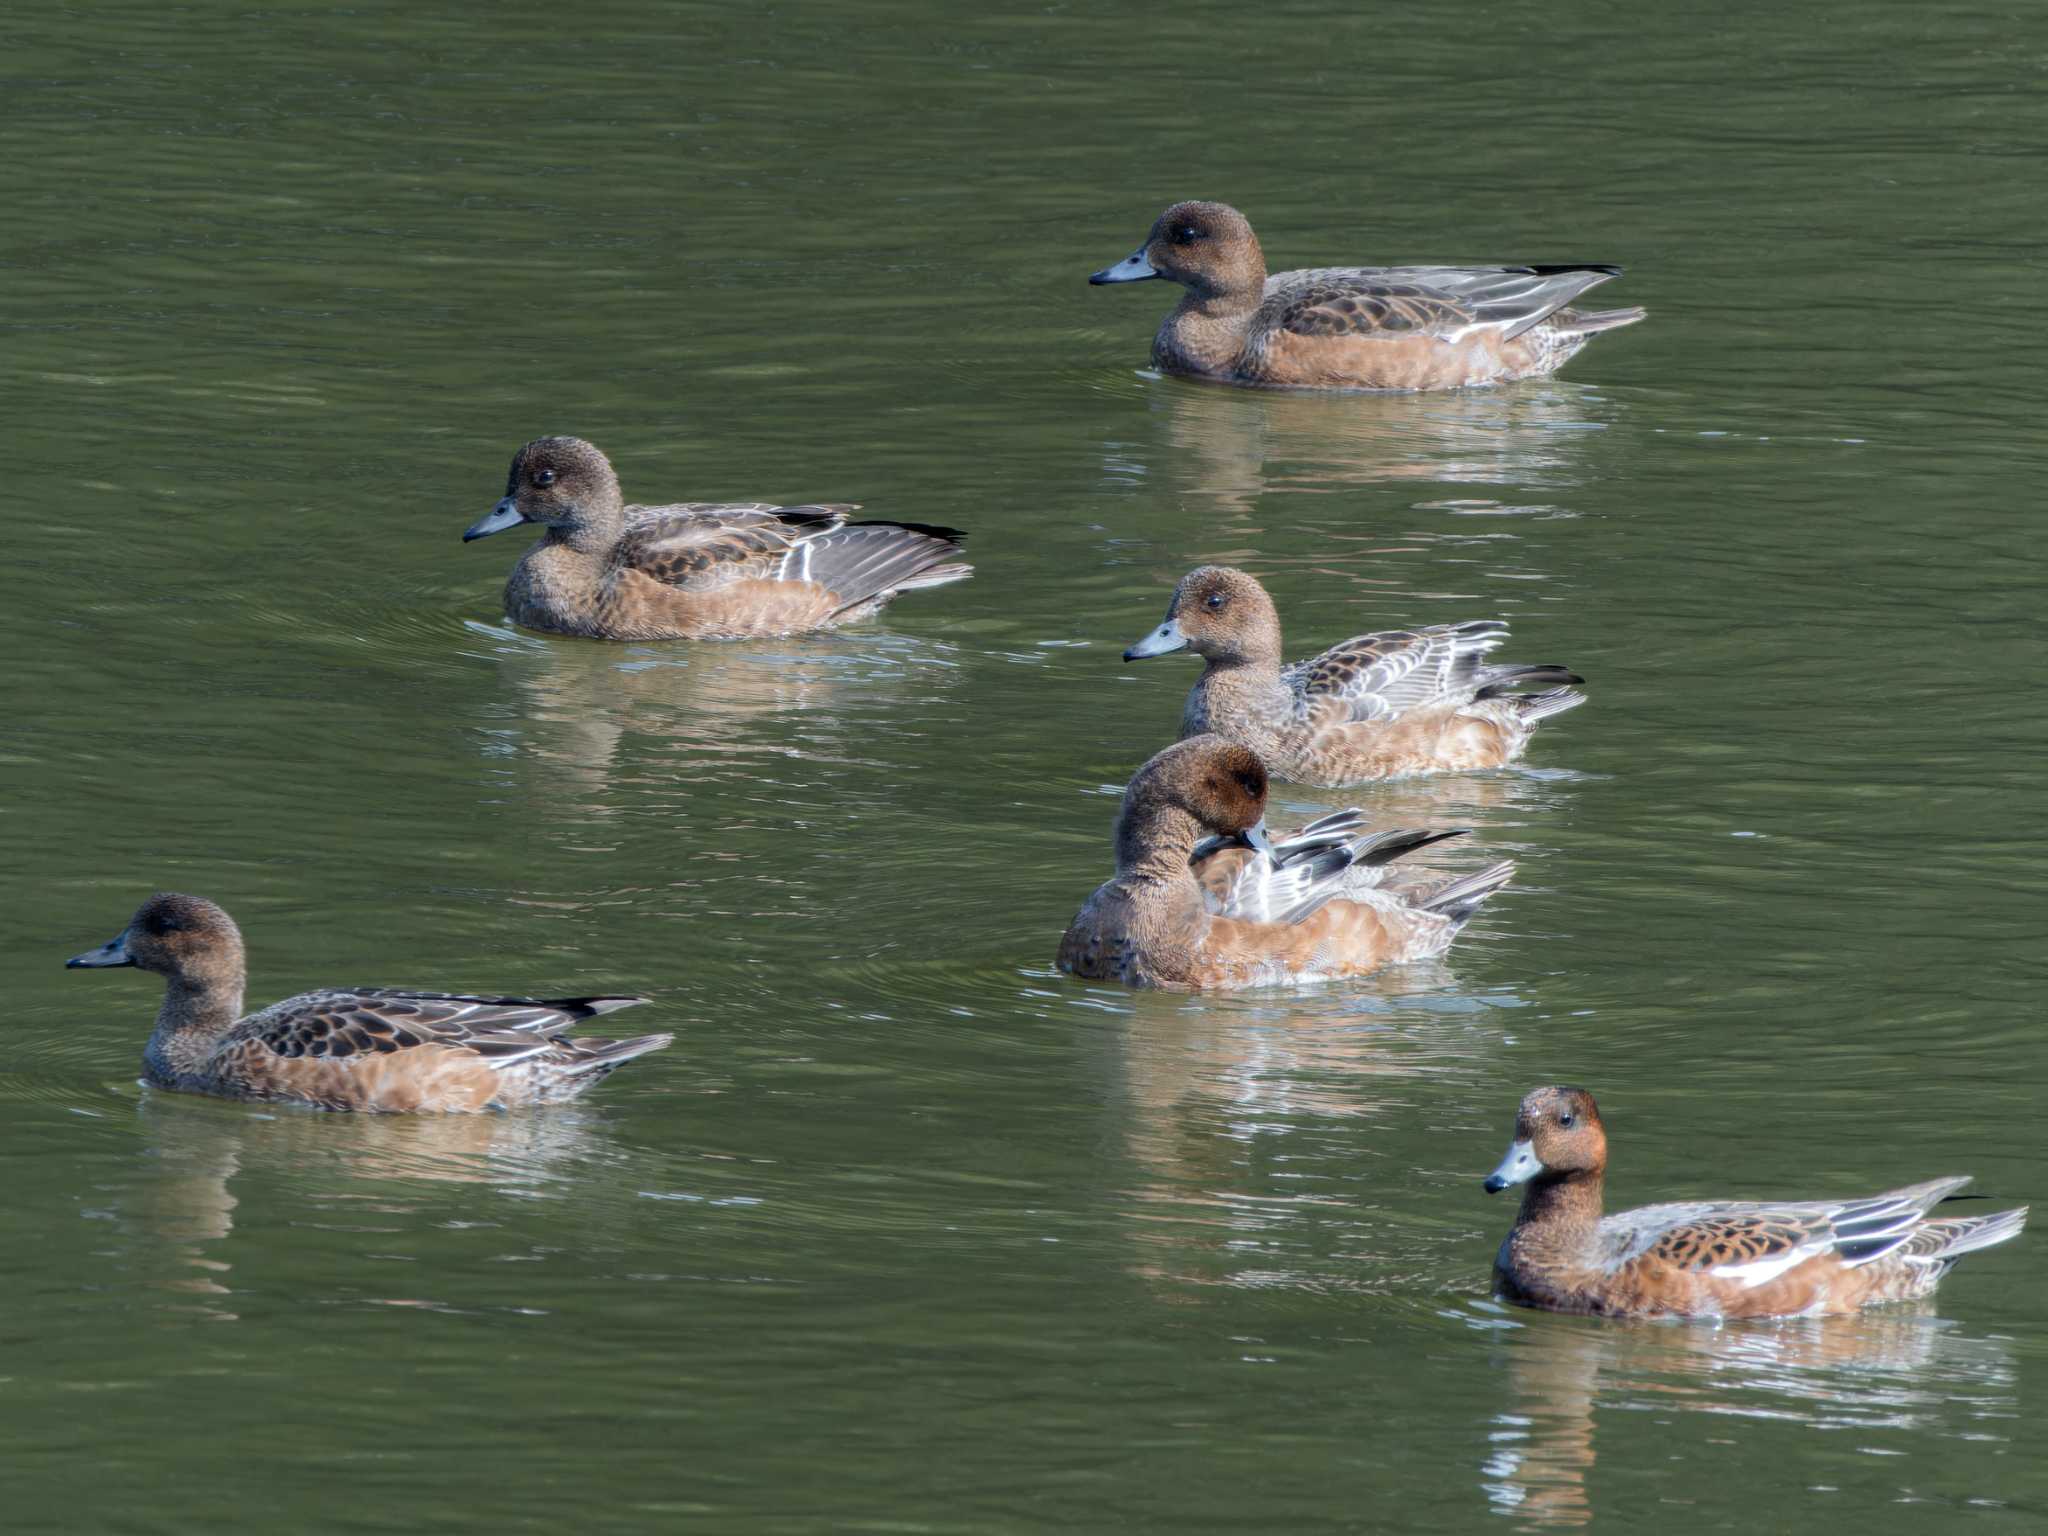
point(1441, 302)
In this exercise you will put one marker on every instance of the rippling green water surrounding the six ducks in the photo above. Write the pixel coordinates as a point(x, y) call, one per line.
point(908, 1232)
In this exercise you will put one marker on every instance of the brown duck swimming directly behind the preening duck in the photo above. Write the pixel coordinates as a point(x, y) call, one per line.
point(1406, 701)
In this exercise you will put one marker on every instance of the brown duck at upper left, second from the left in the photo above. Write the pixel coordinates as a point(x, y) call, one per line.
point(695, 570)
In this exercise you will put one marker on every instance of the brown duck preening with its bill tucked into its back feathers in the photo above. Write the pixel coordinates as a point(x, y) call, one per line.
point(1248, 910)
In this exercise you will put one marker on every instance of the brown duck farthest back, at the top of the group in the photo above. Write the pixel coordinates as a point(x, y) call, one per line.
point(1355, 327)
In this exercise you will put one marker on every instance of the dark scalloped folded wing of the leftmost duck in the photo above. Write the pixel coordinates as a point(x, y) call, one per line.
point(364, 1021)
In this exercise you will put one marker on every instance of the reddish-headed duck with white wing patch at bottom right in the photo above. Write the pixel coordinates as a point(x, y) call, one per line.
point(1711, 1258)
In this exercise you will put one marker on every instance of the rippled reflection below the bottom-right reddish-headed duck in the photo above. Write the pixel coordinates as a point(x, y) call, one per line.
point(1904, 1367)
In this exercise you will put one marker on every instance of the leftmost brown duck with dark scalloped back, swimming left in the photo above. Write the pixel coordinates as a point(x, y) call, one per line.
point(376, 1050)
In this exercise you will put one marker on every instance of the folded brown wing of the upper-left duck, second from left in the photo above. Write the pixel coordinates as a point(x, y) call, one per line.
point(701, 548)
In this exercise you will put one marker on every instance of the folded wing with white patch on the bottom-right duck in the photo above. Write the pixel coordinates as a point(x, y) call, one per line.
point(1754, 1244)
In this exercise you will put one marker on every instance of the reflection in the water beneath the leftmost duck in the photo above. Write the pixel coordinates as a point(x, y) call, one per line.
point(181, 1195)
